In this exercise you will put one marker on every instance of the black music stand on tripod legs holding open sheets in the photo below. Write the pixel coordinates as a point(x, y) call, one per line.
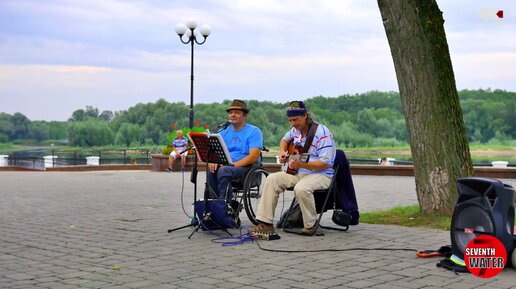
point(209, 149)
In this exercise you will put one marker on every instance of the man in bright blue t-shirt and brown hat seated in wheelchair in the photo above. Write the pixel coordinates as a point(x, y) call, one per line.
point(244, 142)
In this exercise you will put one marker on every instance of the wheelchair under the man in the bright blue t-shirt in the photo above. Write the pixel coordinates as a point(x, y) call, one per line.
point(247, 191)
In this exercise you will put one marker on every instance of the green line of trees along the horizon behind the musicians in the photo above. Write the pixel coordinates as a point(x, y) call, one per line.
point(361, 120)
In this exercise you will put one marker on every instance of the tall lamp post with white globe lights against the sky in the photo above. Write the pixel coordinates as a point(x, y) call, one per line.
point(189, 30)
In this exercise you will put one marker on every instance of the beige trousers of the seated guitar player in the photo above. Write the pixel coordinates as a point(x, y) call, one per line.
point(304, 186)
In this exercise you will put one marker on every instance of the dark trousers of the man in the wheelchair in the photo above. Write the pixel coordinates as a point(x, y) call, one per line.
point(220, 181)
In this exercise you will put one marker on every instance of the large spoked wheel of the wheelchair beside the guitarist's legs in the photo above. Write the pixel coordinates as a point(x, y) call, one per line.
point(252, 192)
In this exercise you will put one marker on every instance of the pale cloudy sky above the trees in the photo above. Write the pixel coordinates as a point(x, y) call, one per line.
point(57, 56)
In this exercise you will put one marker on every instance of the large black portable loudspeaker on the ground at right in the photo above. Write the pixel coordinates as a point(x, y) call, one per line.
point(484, 207)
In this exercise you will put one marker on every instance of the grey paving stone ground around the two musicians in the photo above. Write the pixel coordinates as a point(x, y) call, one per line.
point(108, 229)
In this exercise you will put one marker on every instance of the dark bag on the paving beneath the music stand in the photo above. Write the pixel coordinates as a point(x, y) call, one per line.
point(221, 214)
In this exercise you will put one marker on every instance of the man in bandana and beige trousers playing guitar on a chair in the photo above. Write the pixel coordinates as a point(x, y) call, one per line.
point(316, 173)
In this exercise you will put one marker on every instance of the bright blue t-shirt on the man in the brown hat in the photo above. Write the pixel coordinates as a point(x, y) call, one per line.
point(240, 142)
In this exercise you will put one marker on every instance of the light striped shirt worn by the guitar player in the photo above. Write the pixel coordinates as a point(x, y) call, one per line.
point(322, 148)
